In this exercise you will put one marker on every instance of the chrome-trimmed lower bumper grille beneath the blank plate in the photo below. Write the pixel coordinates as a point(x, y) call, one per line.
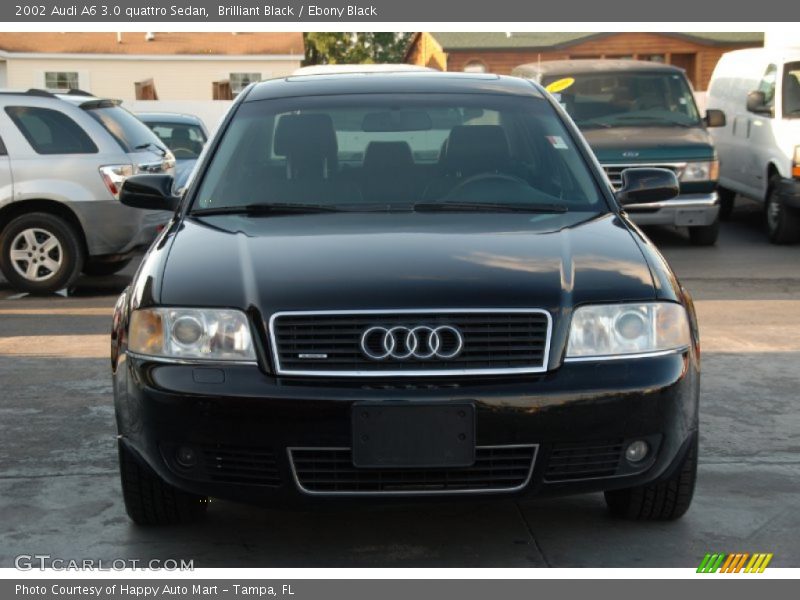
point(330, 471)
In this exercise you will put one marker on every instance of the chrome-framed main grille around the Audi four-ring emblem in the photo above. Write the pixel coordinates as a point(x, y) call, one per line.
point(329, 343)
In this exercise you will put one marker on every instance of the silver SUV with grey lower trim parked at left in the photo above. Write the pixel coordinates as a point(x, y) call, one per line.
point(63, 159)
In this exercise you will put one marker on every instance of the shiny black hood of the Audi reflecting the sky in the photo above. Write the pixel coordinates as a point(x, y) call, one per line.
point(341, 261)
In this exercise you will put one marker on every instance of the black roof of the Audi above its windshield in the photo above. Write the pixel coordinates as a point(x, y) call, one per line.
point(390, 83)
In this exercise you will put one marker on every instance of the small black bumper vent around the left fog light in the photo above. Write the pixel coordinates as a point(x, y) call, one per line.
point(229, 464)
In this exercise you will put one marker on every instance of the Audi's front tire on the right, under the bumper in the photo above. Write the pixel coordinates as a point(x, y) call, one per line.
point(665, 500)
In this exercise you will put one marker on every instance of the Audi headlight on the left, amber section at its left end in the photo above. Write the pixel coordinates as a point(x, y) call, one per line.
point(192, 334)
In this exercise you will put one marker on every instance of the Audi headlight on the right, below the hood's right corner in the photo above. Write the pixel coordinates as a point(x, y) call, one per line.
point(617, 330)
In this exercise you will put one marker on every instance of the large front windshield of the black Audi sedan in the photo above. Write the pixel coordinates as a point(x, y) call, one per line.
point(395, 152)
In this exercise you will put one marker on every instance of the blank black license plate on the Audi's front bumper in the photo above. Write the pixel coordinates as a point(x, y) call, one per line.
point(413, 436)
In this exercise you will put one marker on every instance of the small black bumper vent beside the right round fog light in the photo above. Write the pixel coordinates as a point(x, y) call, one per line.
point(583, 460)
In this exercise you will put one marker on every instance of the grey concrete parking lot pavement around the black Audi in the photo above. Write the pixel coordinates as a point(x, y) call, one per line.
point(59, 492)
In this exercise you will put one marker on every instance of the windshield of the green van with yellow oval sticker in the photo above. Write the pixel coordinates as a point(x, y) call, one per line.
point(626, 99)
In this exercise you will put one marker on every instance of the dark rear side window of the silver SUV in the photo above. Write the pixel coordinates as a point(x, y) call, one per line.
point(50, 131)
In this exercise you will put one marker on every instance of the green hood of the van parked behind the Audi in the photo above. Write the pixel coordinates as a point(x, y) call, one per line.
point(648, 144)
